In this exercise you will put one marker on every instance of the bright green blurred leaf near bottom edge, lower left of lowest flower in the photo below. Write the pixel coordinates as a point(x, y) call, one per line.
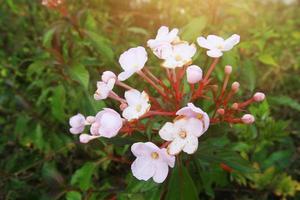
point(83, 176)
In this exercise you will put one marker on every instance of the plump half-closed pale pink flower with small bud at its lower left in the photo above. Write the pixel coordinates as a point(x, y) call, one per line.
point(107, 123)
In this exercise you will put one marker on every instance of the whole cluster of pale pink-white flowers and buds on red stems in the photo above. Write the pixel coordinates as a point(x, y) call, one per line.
point(170, 99)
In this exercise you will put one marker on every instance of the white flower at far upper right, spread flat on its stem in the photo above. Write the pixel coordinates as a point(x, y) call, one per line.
point(217, 45)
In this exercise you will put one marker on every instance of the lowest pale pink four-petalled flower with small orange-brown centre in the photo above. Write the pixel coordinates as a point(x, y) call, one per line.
point(151, 161)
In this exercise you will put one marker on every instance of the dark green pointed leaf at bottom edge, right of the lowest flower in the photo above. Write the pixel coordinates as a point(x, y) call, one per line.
point(181, 185)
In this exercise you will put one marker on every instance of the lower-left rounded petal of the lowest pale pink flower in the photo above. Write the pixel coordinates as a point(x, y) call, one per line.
point(143, 168)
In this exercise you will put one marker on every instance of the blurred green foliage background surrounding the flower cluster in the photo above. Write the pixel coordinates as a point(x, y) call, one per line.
point(49, 65)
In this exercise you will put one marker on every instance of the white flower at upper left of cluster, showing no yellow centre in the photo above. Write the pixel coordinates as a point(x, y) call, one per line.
point(132, 61)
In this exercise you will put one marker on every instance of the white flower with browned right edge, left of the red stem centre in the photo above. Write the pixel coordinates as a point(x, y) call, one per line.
point(138, 104)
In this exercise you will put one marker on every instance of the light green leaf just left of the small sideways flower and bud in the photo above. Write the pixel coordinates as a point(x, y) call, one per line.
point(79, 73)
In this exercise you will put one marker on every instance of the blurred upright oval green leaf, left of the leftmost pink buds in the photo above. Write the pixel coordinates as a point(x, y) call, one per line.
point(58, 102)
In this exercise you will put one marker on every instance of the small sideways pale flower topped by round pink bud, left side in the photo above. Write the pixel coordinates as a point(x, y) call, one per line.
point(105, 86)
